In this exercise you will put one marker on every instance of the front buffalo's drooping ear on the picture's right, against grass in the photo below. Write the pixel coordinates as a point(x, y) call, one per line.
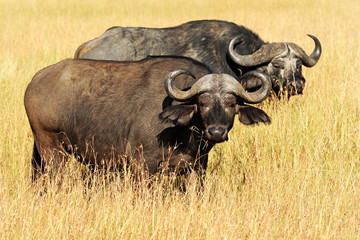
point(249, 115)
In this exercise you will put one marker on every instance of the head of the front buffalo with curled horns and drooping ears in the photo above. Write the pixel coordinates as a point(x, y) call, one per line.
point(212, 102)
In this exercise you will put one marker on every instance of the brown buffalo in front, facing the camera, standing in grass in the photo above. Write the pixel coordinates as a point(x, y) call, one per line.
point(105, 112)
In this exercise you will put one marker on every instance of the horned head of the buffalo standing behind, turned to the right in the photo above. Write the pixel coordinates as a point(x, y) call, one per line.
point(281, 61)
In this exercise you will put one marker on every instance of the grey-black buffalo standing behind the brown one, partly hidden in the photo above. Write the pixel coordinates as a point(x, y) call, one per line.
point(223, 46)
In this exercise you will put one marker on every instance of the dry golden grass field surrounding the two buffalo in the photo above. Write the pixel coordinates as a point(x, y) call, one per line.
point(298, 178)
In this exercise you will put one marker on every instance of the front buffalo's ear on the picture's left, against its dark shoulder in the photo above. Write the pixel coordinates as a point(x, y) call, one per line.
point(178, 114)
